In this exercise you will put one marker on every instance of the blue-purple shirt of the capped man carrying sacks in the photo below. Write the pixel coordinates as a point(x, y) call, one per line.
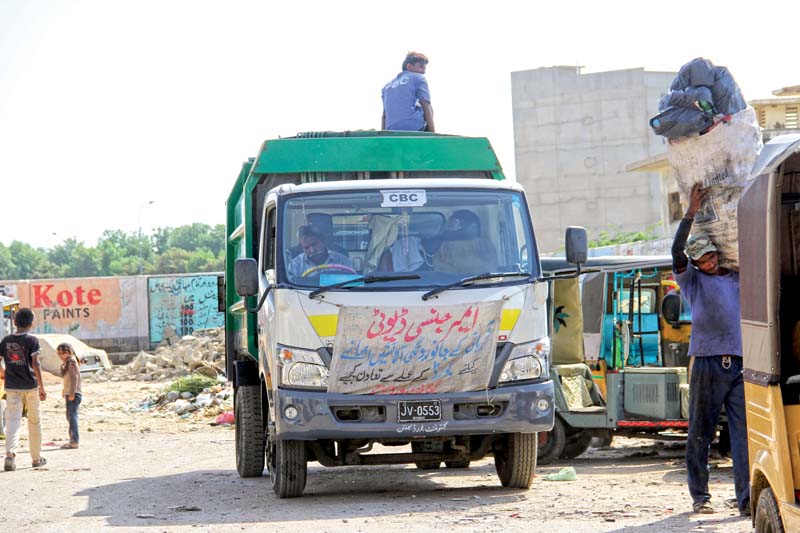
point(716, 327)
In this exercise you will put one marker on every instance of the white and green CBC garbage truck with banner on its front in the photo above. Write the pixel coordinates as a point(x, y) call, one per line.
point(383, 305)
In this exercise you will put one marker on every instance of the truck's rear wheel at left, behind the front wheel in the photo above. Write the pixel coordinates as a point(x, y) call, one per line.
point(249, 431)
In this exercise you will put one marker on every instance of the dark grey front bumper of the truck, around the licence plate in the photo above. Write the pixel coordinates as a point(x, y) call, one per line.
point(315, 415)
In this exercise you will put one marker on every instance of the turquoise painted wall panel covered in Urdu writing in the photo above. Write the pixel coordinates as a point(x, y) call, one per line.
point(184, 304)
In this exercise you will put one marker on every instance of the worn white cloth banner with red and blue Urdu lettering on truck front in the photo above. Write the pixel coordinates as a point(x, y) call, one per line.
point(414, 350)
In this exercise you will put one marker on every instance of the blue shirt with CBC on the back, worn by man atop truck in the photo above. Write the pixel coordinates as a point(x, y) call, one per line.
point(401, 98)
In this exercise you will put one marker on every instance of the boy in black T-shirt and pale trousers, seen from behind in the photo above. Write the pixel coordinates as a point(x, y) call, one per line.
point(24, 388)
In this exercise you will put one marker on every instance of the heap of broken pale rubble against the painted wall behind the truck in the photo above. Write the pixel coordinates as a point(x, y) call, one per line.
point(201, 353)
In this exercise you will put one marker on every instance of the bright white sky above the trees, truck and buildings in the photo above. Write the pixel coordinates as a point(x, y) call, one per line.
point(121, 114)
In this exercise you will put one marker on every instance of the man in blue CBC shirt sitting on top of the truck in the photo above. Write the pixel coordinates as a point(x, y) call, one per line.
point(406, 98)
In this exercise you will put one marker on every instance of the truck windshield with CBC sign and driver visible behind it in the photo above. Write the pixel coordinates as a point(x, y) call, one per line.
point(442, 235)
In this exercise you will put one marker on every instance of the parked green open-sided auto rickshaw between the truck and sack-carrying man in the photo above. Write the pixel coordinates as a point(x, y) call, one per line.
point(619, 362)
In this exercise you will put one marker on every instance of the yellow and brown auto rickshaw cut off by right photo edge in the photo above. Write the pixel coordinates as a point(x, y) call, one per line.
point(769, 276)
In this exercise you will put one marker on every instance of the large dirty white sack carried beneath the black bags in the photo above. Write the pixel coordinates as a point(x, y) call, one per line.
point(721, 159)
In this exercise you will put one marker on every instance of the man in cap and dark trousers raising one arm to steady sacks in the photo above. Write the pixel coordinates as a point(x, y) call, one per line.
point(715, 350)
